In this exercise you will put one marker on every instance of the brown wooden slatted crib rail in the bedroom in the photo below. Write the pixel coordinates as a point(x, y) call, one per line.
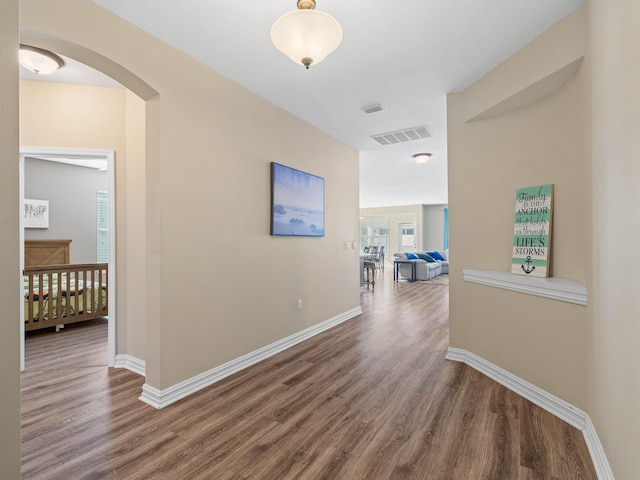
point(55, 295)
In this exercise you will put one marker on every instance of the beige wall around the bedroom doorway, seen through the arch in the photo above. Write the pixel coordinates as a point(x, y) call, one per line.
point(76, 116)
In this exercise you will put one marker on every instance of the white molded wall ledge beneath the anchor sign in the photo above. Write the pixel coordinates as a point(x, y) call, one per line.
point(553, 288)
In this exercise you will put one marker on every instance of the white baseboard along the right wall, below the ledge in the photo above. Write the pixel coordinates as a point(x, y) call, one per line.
point(554, 405)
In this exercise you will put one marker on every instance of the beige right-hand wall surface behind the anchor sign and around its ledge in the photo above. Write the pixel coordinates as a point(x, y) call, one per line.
point(539, 340)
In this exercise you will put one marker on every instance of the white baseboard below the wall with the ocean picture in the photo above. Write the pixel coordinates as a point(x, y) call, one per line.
point(162, 398)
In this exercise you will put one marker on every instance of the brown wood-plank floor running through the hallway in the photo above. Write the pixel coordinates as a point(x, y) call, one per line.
point(373, 398)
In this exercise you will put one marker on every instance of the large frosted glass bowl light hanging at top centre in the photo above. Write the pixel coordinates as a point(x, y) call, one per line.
point(305, 35)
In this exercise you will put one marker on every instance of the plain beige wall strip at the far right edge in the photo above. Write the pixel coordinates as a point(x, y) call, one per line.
point(614, 386)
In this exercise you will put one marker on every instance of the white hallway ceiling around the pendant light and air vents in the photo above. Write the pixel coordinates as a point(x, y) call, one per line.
point(405, 55)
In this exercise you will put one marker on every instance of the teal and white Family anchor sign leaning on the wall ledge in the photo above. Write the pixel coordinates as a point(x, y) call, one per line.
point(532, 231)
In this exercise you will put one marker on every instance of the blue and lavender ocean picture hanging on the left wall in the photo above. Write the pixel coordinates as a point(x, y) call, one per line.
point(297, 202)
